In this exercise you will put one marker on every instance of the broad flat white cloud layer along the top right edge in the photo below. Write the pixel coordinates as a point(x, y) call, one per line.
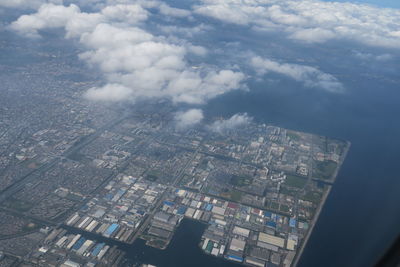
point(311, 21)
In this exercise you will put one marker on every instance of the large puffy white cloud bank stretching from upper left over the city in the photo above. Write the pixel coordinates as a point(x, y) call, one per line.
point(135, 63)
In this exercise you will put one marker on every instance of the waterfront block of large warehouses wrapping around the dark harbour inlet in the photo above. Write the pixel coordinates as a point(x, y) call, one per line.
point(233, 231)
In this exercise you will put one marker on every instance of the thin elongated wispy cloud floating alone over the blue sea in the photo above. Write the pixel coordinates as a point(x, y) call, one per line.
point(309, 76)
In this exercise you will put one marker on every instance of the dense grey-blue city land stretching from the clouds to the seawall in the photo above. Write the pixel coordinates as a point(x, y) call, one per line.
point(69, 167)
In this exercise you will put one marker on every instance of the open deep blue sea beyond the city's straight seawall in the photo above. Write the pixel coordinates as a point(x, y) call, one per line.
point(360, 218)
